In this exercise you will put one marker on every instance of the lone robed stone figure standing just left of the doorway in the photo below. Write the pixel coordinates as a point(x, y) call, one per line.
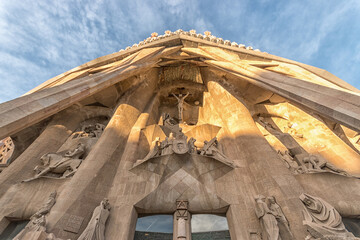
point(95, 229)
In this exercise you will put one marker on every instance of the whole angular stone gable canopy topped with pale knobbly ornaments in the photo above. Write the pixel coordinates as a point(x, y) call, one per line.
point(306, 86)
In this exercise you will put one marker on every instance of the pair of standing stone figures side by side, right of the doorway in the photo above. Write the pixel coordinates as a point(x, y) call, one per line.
point(273, 221)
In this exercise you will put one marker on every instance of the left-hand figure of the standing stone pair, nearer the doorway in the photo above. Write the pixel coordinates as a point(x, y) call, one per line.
point(268, 221)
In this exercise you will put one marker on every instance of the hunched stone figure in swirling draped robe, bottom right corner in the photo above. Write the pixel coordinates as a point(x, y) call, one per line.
point(323, 220)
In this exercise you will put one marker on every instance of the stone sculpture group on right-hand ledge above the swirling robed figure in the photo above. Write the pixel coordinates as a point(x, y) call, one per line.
point(309, 164)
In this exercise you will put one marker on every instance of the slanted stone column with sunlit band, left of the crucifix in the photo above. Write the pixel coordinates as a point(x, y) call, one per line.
point(94, 178)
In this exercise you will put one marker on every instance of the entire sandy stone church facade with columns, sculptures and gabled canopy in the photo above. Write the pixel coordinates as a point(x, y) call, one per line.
point(183, 124)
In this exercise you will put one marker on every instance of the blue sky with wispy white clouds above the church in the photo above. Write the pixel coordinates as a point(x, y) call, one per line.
point(41, 39)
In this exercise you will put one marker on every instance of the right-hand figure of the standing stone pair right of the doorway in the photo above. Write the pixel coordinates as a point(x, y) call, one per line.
point(283, 223)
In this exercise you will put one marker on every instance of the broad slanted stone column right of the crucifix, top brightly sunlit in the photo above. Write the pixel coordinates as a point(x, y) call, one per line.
point(259, 170)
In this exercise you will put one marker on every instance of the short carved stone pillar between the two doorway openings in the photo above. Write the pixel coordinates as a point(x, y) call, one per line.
point(182, 221)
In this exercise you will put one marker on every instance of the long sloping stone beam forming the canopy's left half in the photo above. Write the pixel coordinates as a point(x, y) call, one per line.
point(27, 110)
